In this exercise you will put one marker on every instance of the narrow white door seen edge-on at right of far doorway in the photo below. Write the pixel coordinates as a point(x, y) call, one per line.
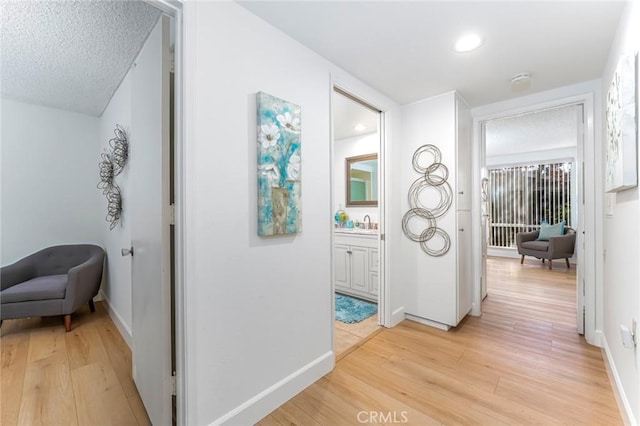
point(580, 229)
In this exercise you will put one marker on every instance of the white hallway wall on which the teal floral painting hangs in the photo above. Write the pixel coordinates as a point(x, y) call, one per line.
point(258, 310)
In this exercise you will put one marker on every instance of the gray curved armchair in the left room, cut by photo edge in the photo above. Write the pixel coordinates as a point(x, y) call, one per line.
point(53, 281)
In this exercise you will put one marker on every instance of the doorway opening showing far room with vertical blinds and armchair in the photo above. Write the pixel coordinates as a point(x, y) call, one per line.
point(532, 184)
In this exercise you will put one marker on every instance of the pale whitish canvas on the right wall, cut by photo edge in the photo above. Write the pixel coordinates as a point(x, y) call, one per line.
point(622, 127)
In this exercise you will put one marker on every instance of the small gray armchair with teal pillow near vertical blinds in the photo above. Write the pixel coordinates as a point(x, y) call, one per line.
point(556, 248)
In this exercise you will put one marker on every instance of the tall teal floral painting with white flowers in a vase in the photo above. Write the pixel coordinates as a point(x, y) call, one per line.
point(279, 161)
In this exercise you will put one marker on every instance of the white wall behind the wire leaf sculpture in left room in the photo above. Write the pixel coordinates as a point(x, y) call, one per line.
point(116, 288)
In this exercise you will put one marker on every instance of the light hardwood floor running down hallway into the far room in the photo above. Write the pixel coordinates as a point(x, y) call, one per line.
point(521, 362)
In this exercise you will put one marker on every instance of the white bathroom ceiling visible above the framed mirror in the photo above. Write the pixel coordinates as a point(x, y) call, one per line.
point(347, 113)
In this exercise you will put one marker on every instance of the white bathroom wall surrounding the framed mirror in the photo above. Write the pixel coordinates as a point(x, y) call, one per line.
point(343, 149)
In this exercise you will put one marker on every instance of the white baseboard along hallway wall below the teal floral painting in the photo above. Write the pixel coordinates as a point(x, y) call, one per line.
point(258, 407)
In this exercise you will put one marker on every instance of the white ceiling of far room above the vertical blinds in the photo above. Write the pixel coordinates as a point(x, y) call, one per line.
point(550, 129)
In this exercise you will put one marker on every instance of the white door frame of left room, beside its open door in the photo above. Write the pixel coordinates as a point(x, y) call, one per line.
point(174, 9)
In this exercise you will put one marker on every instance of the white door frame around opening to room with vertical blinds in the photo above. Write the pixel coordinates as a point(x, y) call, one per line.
point(588, 95)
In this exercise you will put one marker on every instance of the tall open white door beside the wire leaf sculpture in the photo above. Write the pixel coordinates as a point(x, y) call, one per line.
point(149, 204)
